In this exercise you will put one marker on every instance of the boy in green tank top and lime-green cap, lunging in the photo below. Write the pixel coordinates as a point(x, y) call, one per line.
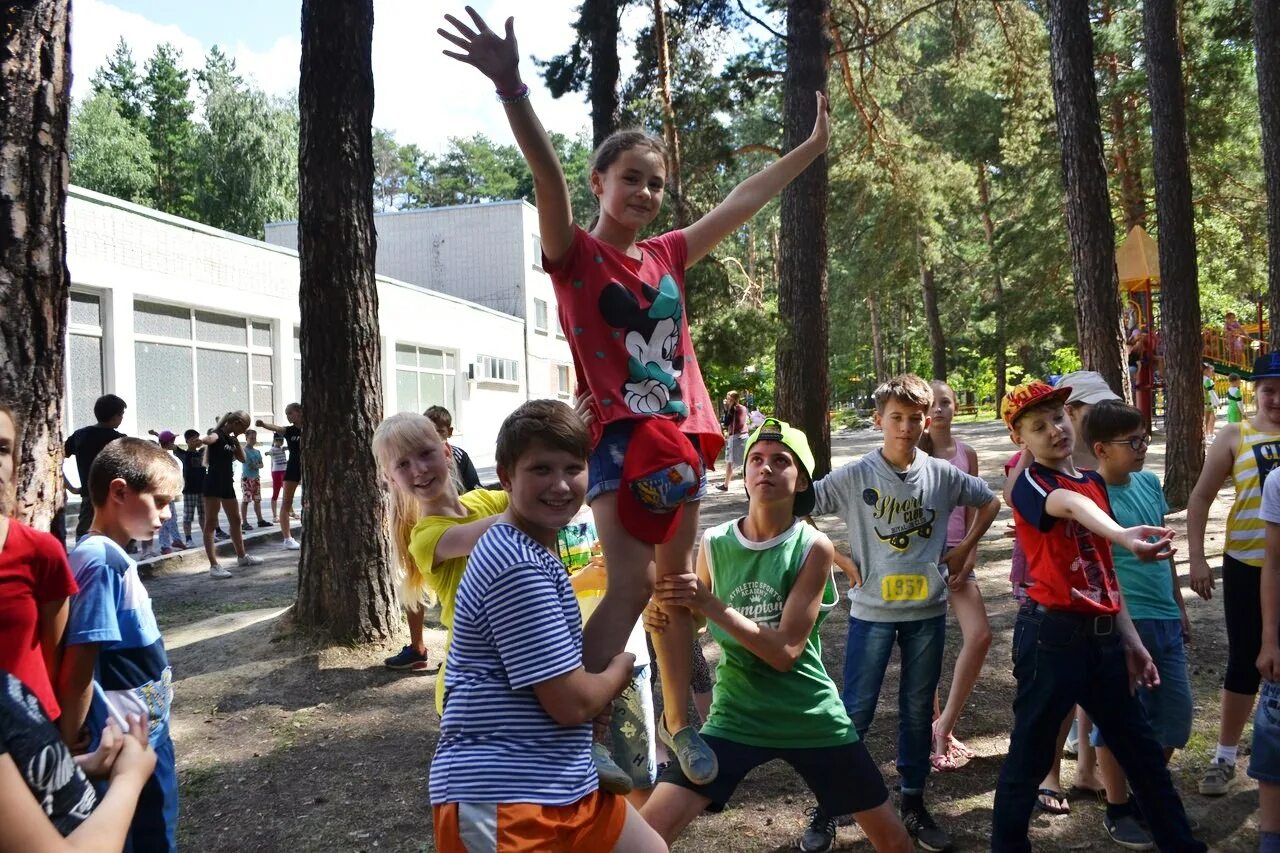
point(765, 586)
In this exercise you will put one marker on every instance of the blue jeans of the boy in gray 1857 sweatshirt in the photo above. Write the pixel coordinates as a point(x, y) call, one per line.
point(866, 660)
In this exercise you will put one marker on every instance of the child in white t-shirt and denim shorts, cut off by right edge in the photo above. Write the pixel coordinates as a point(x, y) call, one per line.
point(1265, 761)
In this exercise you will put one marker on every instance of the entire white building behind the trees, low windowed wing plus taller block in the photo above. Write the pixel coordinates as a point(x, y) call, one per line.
point(188, 322)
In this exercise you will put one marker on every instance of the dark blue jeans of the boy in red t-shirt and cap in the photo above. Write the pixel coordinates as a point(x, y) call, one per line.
point(1059, 662)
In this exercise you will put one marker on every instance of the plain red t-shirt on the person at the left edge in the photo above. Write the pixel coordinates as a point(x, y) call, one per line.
point(34, 572)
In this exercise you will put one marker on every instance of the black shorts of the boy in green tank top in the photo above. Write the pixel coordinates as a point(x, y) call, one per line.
point(844, 779)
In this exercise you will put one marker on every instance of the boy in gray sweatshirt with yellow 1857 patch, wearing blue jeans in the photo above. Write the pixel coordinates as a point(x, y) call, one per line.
point(897, 503)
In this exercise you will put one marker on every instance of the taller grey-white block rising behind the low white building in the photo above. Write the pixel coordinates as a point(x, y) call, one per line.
point(488, 254)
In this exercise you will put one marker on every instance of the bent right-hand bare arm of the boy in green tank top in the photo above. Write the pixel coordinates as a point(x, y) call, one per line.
point(778, 646)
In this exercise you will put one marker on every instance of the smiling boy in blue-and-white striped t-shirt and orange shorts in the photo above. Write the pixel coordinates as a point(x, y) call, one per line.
point(514, 763)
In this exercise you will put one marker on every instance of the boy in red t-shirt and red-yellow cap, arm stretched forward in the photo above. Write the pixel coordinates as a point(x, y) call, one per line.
point(1075, 641)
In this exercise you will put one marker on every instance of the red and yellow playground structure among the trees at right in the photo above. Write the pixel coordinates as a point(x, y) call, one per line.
point(1227, 350)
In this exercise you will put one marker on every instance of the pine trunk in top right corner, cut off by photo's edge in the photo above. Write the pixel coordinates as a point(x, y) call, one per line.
point(1267, 45)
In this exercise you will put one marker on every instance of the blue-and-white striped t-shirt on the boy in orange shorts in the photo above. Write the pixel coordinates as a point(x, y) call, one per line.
point(516, 626)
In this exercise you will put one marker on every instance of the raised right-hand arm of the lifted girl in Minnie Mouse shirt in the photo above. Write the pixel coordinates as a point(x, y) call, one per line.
point(753, 194)
